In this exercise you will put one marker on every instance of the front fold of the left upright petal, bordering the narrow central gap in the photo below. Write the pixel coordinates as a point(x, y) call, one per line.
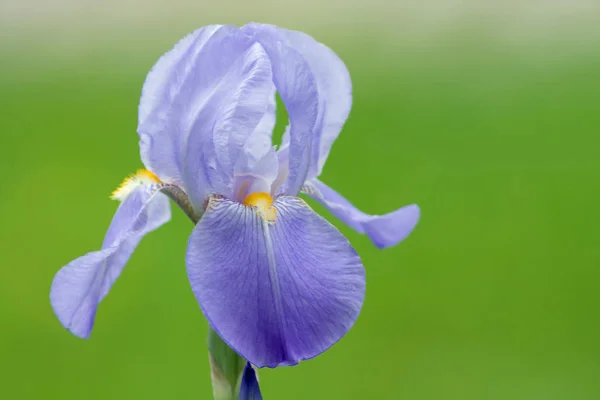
point(228, 96)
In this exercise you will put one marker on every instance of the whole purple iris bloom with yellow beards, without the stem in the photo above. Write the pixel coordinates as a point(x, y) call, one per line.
point(276, 281)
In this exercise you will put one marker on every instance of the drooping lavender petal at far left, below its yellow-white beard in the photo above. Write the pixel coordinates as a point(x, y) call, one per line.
point(80, 285)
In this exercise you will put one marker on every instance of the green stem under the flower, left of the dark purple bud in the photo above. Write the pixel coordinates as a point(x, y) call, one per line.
point(226, 368)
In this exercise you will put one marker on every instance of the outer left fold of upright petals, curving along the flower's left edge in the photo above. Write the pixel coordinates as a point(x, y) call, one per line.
point(159, 142)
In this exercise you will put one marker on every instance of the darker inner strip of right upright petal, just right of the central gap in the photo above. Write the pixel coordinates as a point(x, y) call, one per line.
point(298, 89)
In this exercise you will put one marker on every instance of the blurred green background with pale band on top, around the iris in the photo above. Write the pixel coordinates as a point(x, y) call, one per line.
point(485, 113)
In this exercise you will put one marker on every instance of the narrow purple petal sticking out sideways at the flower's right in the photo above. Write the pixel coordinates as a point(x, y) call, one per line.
point(384, 230)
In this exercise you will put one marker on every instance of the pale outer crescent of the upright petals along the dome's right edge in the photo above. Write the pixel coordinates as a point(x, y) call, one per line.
point(335, 93)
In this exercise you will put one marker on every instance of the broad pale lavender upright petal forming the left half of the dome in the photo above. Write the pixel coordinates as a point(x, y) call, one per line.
point(200, 104)
